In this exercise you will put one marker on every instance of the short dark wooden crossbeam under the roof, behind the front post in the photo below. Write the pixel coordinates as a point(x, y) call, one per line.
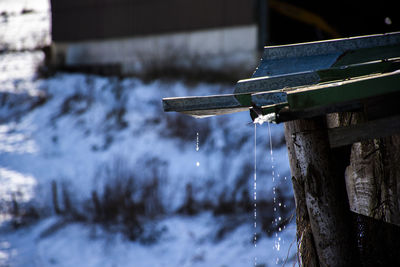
point(342, 136)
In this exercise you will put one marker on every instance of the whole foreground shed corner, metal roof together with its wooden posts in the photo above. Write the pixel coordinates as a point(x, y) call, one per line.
point(339, 102)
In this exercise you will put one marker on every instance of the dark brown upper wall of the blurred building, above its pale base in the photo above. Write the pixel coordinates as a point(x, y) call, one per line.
point(102, 19)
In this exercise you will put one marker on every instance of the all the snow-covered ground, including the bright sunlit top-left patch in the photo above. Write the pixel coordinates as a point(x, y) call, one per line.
point(70, 127)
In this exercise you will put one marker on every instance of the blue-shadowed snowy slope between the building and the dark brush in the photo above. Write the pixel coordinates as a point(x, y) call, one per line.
point(77, 131)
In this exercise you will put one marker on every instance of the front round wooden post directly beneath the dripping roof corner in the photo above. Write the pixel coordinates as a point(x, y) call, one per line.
point(323, 231)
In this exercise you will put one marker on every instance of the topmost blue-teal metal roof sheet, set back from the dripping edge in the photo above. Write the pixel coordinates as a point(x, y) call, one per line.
point(286, 59)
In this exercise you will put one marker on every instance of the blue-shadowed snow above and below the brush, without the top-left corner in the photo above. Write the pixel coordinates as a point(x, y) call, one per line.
point(48, 143)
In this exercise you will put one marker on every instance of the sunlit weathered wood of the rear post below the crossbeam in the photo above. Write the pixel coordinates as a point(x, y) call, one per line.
point(373, 175)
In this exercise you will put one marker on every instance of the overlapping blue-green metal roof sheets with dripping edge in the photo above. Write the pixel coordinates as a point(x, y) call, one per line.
point(308, 79)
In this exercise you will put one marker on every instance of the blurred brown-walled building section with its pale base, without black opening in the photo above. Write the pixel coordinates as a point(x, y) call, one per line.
point(126, 33)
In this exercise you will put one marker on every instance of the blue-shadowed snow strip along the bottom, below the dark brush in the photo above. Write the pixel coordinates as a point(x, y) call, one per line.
point(186, 242)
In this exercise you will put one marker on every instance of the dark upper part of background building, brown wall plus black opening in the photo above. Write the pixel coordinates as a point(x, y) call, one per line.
point(81, 20)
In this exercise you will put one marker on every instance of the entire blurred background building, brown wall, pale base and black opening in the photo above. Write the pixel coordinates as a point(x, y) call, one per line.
point(125, 35)
